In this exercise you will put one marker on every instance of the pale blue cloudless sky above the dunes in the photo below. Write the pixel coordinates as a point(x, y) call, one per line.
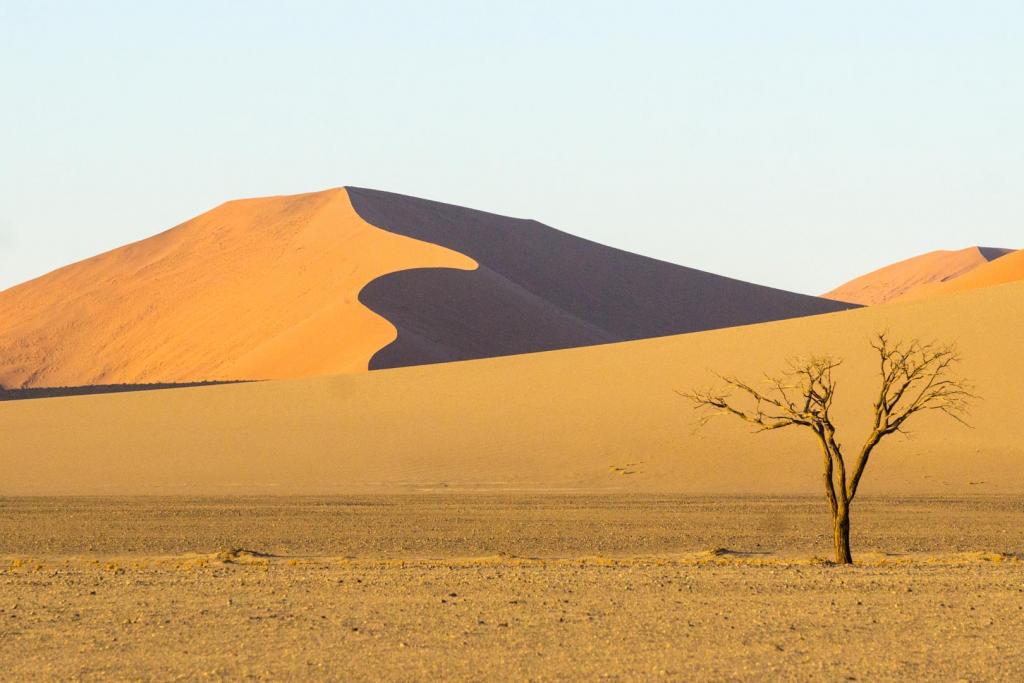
point(791, 144)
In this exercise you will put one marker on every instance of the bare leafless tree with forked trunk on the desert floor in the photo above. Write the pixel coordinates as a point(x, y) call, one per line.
point(915, 377)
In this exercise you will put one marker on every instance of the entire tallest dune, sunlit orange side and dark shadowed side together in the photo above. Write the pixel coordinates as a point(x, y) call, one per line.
point(288, 287)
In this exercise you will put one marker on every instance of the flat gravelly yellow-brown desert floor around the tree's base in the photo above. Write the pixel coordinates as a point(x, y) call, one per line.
point(521, 587)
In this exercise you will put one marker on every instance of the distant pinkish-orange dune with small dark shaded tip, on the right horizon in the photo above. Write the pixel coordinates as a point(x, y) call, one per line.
point(900, 279)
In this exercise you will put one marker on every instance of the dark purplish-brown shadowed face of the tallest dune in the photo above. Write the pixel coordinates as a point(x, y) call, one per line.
point(540, 289)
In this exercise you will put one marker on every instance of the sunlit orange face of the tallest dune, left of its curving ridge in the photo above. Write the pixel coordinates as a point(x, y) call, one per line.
point(262, 288)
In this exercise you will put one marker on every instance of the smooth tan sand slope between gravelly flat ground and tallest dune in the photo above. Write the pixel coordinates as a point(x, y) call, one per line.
point(593, 419)
